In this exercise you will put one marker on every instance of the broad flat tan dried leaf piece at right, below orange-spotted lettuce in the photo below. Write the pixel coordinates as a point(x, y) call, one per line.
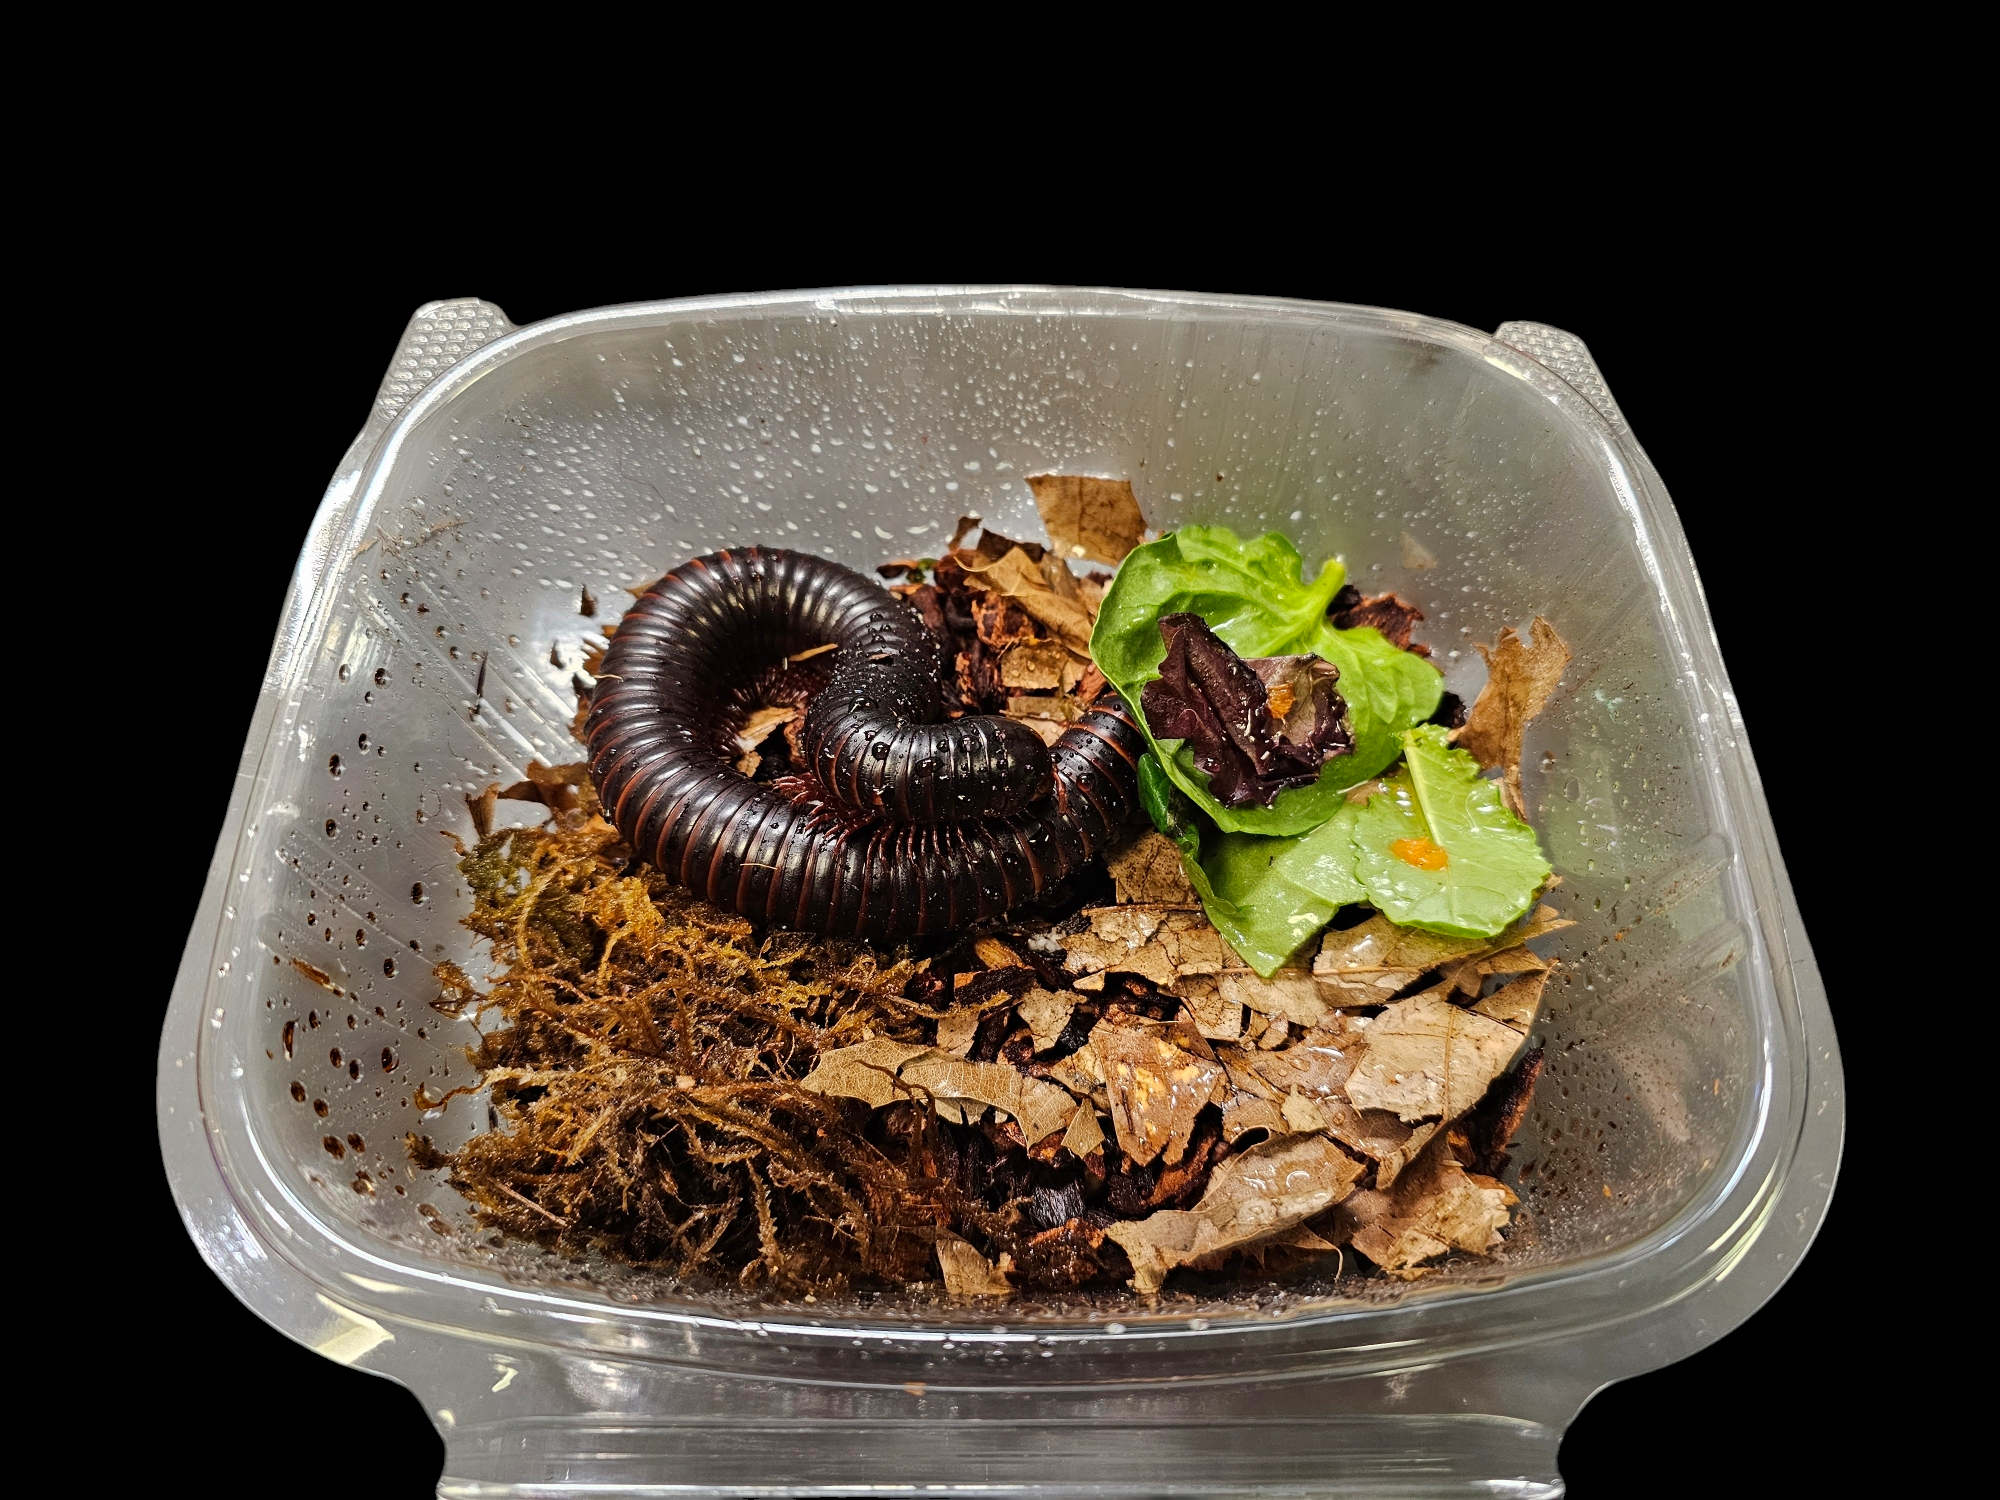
point(1429, 1059)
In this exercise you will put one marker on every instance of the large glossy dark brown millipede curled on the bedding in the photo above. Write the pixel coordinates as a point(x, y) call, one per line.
point(907, 821)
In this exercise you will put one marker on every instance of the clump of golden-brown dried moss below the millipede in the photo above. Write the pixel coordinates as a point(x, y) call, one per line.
point(643, 1053)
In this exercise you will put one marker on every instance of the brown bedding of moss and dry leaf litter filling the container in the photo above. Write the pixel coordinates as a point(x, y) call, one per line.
point(1091, 1099)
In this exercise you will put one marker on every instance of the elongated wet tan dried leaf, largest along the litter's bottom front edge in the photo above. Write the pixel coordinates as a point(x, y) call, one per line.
point(1251, 1197)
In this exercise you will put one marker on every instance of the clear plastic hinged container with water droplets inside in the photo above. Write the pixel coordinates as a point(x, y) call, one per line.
point(1683, 1145)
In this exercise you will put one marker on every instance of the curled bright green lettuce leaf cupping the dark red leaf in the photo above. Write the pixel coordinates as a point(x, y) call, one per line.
point(1253, 595)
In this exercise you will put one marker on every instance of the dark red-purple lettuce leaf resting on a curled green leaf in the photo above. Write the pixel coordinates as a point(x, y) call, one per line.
point(1223, 707)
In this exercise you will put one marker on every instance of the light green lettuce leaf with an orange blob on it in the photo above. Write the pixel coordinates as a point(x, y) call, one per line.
point(1437, 805)
